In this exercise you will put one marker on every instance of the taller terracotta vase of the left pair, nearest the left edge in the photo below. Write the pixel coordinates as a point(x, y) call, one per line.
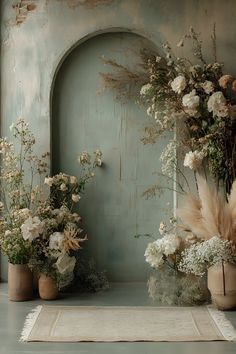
point(20, 282)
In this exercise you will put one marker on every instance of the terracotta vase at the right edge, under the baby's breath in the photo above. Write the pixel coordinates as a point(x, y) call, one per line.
point(221, 280)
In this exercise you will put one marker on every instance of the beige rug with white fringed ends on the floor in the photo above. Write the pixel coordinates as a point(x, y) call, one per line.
point(126, 324)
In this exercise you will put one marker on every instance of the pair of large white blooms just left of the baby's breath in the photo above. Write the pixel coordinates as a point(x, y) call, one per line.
point(164, 247)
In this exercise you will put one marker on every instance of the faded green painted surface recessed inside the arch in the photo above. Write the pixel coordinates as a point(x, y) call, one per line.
point(113, 209)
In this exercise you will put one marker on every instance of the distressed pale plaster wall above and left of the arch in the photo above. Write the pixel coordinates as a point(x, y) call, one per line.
point(37, 35)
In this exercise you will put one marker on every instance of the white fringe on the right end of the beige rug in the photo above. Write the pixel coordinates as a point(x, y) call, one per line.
point(224, 325)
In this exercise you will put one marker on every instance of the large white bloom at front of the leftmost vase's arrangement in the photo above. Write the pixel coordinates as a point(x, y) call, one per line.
point(32, 228)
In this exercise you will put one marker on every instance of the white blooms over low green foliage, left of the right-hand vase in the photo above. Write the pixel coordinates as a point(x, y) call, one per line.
point(168, 283)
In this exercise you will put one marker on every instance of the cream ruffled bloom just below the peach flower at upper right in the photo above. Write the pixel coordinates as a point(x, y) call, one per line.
point(217, 104)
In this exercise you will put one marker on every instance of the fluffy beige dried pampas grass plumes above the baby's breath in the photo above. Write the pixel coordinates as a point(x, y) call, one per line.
point(209, 214)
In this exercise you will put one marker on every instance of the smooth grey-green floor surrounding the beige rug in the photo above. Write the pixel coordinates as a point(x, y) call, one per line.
point(12, 317)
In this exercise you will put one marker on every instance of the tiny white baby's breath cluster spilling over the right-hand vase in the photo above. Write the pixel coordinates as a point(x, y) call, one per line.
point(200, 256)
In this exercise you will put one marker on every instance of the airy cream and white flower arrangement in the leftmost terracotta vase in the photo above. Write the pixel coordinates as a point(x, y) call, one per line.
point(18, 192)
